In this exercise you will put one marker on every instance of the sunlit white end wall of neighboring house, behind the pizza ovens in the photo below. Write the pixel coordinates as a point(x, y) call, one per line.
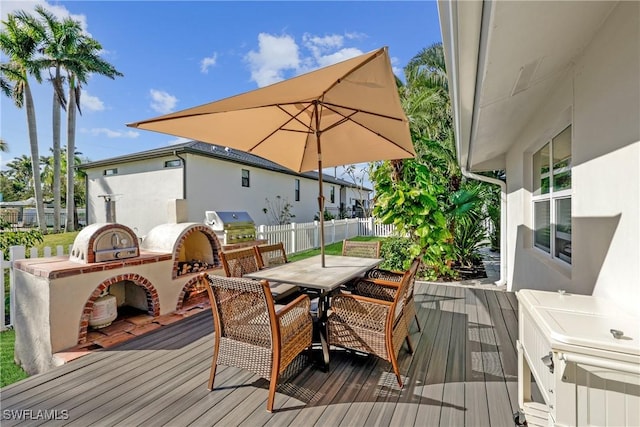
point(143, 189)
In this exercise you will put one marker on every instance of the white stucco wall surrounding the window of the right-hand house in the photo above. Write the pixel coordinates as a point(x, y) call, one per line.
point(600, 97)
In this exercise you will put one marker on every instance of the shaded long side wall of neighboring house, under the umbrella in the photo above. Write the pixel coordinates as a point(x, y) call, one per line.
point(217, 185)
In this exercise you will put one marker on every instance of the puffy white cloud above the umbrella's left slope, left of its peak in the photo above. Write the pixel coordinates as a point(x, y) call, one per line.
point(275, 55)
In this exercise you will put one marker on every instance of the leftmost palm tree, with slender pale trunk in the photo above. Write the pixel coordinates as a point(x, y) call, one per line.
point(20, 46)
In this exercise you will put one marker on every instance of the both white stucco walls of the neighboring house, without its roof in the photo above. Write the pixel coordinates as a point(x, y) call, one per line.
point(144, 189)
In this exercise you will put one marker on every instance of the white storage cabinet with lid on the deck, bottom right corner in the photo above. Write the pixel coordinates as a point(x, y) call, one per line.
point(584, 354)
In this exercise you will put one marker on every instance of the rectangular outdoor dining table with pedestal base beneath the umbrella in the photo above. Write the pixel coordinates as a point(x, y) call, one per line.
point(321, 281)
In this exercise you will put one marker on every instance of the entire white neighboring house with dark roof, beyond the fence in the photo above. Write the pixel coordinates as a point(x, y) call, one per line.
point(208, 178)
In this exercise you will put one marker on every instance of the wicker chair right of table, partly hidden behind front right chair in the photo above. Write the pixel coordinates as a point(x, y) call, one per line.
point(370, 287)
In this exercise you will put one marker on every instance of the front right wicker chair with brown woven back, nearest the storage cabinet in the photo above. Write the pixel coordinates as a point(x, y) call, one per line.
point(372, 325)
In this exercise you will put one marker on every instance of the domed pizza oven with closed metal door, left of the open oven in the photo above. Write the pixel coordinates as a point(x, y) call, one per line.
point(103, 242)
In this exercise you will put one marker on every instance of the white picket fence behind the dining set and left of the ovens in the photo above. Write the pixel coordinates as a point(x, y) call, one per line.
point(296, 238)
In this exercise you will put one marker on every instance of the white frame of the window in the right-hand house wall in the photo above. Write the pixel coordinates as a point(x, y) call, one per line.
point(552, 197)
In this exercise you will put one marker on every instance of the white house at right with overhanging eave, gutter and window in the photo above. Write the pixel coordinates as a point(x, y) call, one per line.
point(550, 93)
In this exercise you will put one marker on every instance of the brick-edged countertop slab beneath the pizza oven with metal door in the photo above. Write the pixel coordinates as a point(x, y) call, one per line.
point(60, 266)
